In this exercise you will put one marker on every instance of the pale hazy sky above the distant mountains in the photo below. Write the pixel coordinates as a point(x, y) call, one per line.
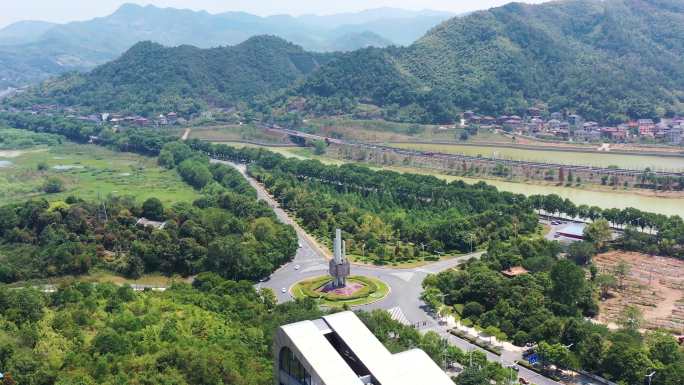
point(70, 10)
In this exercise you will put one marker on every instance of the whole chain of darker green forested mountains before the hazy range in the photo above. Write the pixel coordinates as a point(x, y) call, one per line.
point(608, 60)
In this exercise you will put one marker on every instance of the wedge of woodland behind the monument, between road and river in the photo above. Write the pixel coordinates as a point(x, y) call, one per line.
point(390, 216)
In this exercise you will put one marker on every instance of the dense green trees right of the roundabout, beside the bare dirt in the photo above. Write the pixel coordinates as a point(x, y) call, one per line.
point(547, 307)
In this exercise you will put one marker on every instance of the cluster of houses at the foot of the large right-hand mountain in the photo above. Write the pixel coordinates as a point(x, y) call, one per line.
point(574, 127)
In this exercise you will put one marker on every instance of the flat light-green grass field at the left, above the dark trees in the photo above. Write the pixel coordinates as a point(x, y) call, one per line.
point(87, 171)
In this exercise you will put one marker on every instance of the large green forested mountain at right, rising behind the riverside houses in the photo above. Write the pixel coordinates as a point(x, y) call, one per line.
point(605, 59)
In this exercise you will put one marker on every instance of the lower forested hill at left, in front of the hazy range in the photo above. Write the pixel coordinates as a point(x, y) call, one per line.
point(151, 78)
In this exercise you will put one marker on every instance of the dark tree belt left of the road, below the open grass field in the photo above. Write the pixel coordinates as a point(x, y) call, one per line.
point(227, 231)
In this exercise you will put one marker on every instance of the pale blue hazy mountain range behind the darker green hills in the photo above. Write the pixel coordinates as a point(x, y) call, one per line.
point(32, 50)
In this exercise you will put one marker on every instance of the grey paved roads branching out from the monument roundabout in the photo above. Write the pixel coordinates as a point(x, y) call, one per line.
point(406, 284)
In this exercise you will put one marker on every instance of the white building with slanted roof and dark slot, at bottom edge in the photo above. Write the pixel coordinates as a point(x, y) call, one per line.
point(339, 350)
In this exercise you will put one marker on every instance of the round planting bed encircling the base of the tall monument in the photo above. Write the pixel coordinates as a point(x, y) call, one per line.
point(359, 290)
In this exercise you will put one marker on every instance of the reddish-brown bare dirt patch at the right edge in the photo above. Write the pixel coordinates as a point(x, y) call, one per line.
point(654, 284)
